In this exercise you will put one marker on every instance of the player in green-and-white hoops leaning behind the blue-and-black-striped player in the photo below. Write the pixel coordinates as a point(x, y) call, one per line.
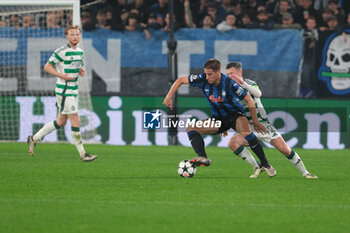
point(236, 142)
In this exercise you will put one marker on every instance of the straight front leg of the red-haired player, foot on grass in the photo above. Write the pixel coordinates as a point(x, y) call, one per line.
point(77, 139)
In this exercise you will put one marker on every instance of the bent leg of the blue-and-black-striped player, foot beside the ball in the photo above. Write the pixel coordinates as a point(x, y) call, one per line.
point(197, 142)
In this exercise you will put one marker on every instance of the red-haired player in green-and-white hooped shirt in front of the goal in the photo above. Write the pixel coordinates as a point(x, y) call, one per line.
point(66, 63)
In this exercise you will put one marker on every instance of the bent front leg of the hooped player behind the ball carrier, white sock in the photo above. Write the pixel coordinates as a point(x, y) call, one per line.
point(237, 144)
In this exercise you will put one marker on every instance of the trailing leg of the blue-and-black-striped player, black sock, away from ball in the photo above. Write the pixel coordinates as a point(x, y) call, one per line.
point(243, 128)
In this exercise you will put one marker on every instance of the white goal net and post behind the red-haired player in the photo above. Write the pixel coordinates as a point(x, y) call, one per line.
point(29, 33)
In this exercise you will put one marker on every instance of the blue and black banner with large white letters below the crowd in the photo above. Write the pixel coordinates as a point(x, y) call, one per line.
point(127, 64)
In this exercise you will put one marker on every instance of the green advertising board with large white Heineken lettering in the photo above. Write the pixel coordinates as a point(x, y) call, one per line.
point(309, 124)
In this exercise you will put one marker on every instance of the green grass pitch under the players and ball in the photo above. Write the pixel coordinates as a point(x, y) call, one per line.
point(137, 189)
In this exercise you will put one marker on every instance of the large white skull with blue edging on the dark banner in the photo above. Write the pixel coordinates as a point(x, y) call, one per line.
point(335, 69)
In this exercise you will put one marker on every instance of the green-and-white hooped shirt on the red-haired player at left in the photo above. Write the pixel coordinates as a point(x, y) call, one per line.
point(67, 61)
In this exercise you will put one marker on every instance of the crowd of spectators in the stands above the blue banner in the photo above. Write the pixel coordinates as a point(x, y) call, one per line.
point(224, 15)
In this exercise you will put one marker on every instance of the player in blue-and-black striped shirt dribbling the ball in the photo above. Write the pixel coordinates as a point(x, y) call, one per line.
point(222, 94)
